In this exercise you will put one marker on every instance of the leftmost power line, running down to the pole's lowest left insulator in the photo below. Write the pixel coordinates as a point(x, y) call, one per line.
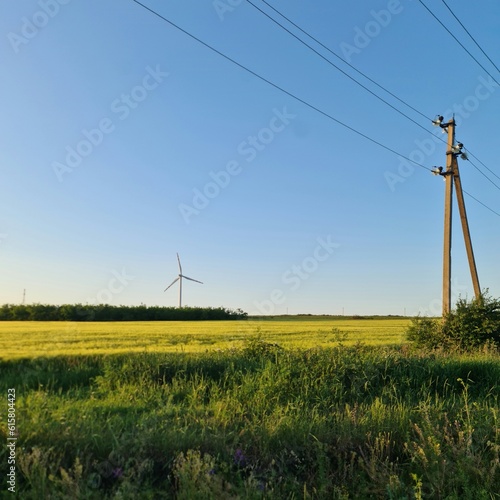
point(281, 89)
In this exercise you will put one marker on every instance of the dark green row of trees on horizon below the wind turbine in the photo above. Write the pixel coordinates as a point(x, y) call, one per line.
point(106, 312)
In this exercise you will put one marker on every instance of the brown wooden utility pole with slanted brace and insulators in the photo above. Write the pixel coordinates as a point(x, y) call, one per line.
point(452, 177)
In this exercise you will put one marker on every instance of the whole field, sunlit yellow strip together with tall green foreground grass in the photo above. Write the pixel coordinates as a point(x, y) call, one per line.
point(276, 409)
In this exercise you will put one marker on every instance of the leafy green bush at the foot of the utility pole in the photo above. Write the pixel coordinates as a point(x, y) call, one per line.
point(469, 326)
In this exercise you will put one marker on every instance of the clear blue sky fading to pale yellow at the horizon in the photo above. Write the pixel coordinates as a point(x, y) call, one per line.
point(124, 141)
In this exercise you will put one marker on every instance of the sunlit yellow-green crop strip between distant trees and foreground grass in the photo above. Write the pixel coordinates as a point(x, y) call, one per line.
point(23, 339)
